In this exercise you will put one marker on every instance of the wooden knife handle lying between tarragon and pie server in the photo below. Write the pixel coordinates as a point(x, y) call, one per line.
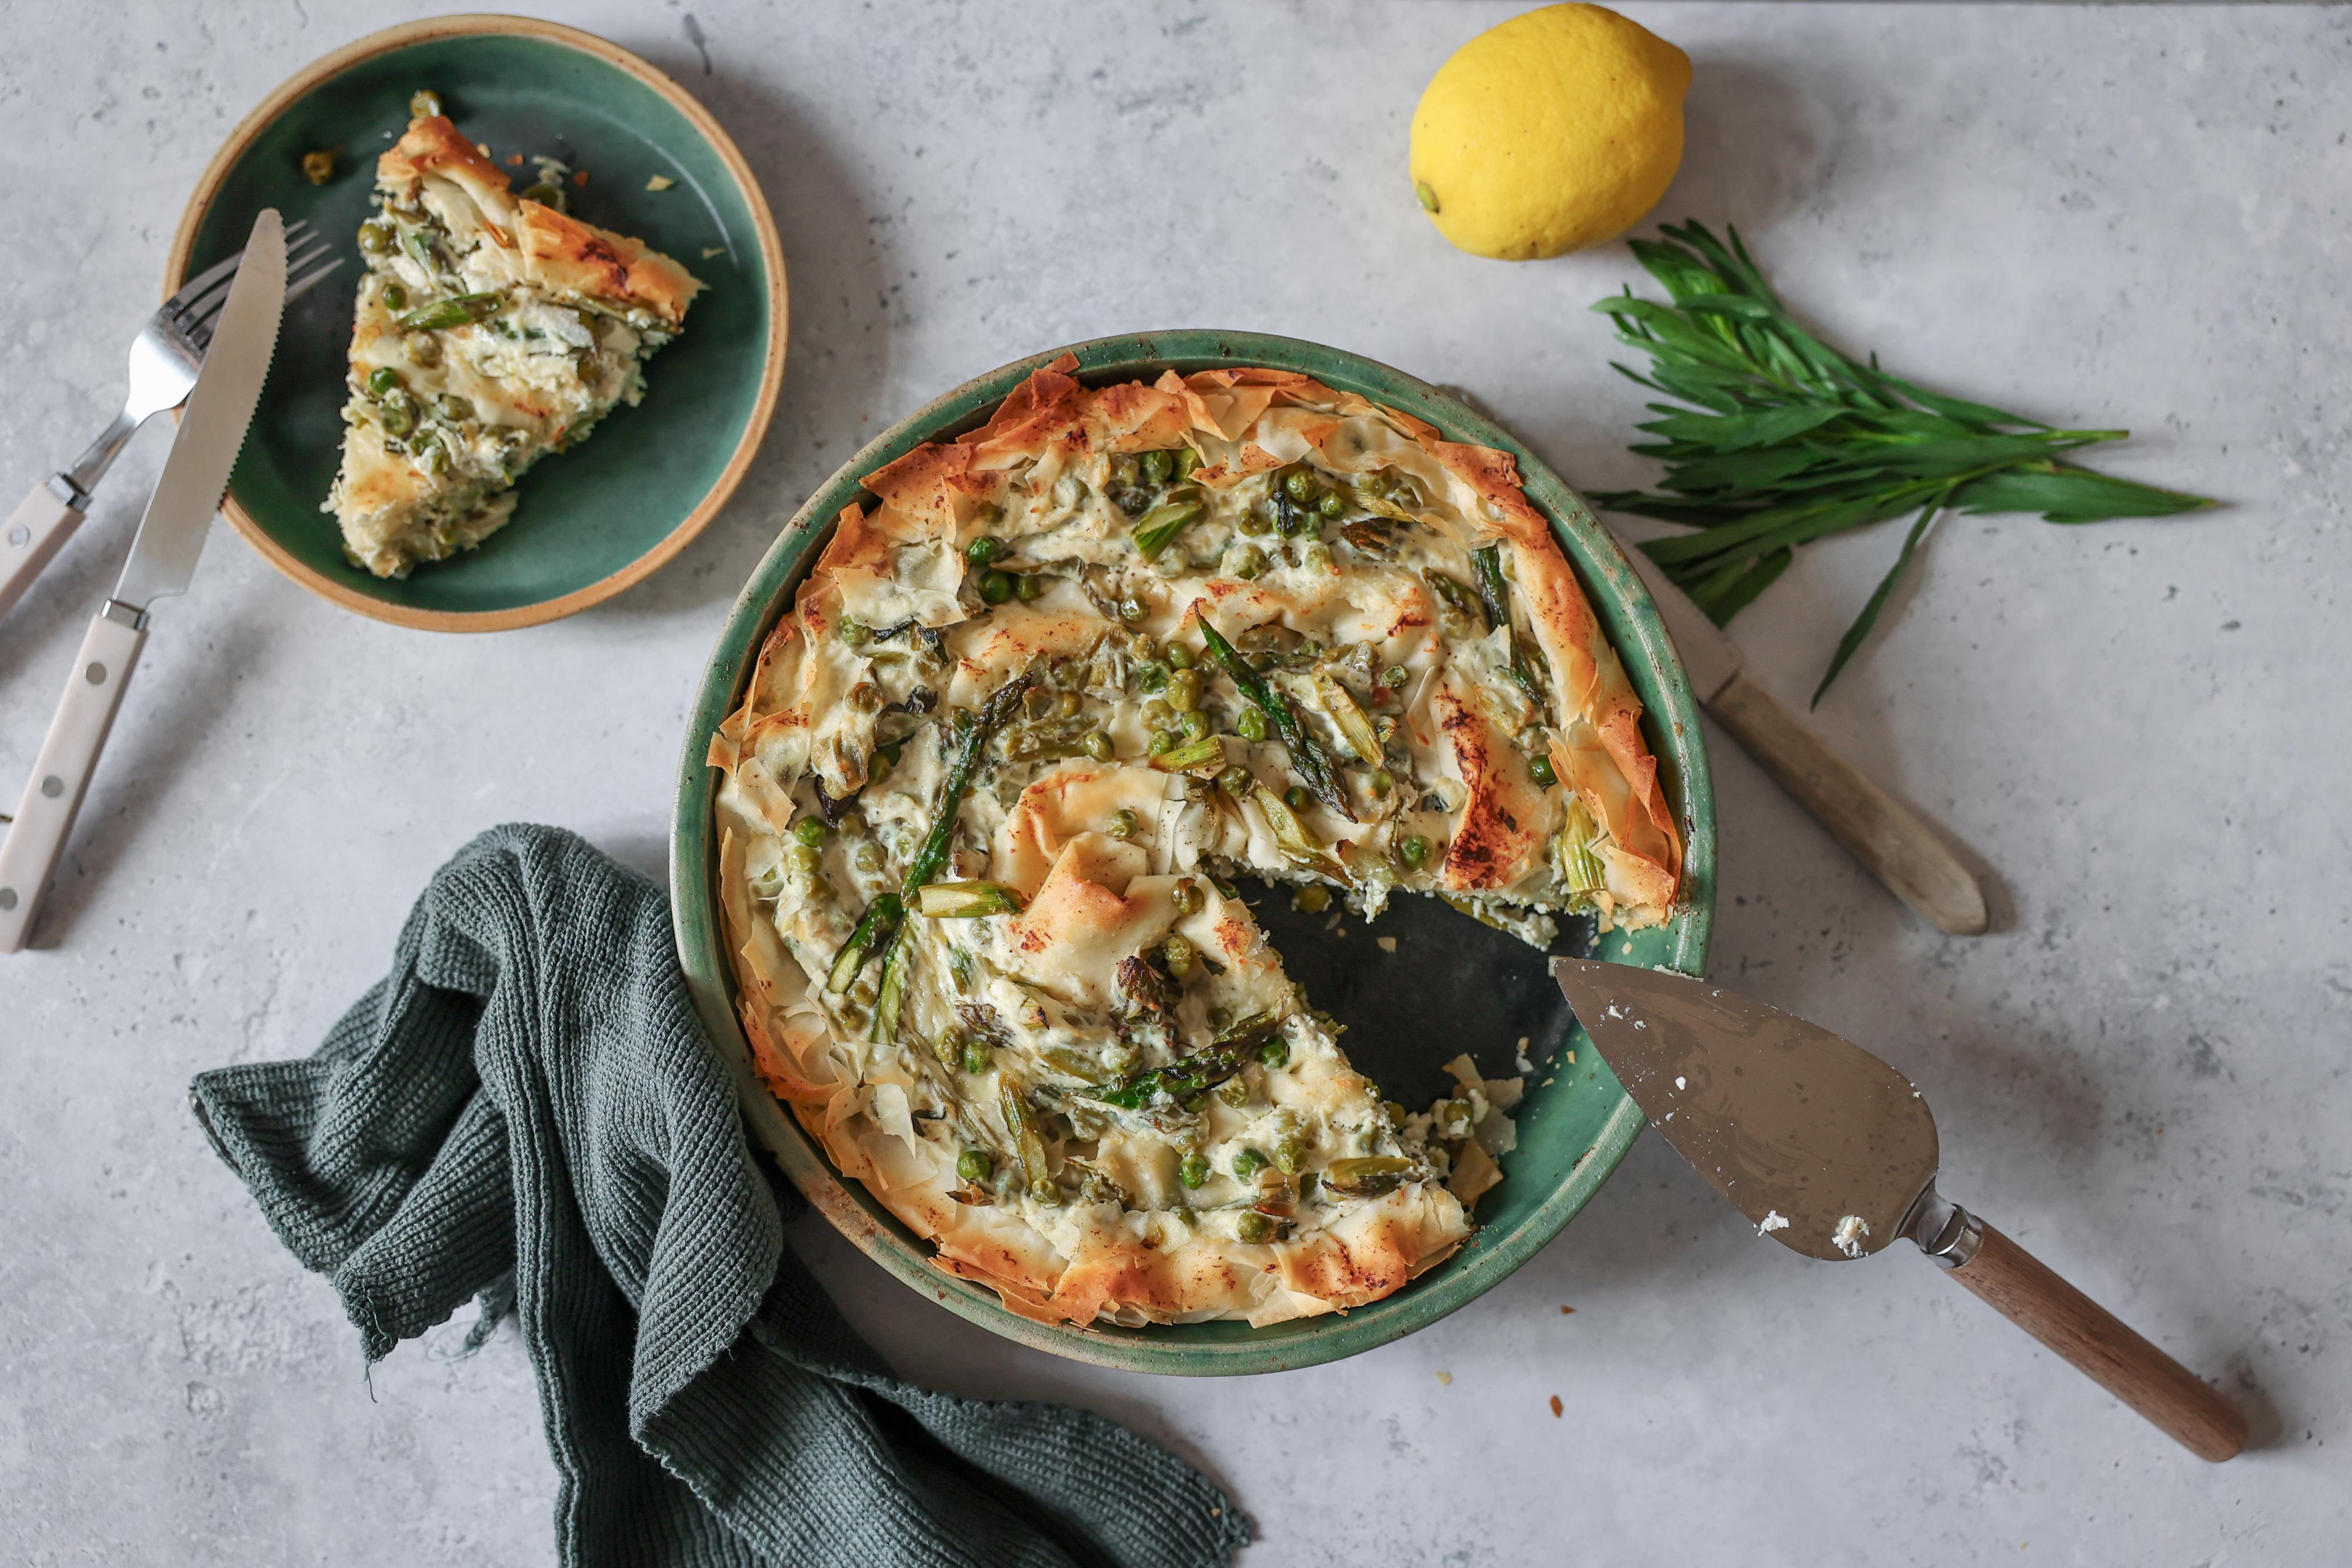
point(1876, 829)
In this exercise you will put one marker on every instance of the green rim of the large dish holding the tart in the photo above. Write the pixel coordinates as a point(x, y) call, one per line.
point(1671, 723)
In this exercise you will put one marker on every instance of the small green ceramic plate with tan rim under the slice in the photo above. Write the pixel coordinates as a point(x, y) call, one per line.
point(592, 521)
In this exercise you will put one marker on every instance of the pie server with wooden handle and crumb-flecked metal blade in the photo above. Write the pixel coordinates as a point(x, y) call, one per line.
point(1833, 1155)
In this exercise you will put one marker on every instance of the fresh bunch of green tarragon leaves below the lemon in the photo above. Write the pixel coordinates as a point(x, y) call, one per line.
point(1789, 441)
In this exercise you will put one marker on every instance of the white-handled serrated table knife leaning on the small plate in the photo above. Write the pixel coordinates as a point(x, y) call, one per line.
point(161, 563)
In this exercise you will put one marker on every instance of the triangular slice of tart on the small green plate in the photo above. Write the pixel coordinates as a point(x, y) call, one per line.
point(490, 330)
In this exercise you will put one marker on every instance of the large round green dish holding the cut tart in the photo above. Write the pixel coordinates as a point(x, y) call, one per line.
point(1572, 1132)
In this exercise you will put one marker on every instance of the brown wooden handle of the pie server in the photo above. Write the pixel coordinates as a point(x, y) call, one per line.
point(2029, 1294)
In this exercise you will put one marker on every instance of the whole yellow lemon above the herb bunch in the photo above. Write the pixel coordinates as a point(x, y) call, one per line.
point(1551, 133)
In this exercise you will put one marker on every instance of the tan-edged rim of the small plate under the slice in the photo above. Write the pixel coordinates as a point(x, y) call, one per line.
point(707, 128)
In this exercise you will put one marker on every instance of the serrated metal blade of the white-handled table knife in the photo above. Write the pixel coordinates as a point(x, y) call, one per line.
point(213, 429)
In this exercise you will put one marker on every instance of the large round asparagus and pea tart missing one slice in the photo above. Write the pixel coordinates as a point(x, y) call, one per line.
point(1027, 718)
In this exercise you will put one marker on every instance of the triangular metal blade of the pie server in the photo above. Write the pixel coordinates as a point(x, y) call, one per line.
point(1824, 1148)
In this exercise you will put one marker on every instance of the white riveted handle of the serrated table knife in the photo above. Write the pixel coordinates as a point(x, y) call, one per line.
point(62, 772)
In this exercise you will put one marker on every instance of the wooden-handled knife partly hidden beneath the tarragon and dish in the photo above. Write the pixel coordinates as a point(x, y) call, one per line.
point(1876, 829)
